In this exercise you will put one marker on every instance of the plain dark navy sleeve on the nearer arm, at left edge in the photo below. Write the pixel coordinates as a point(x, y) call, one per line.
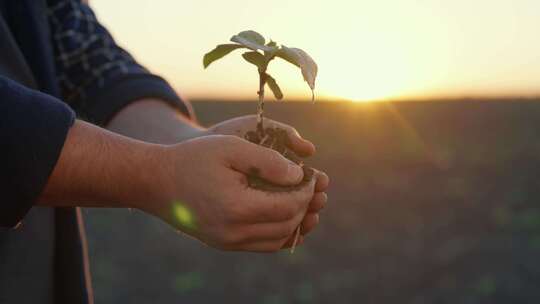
point(33, 129)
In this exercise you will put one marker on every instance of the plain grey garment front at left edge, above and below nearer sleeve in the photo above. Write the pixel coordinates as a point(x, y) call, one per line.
point(26, 253)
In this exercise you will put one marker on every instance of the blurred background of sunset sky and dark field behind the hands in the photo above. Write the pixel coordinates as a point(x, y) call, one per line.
point(427, 122)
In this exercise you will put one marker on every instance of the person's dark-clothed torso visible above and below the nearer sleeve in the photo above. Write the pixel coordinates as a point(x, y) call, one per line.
point(34, 266)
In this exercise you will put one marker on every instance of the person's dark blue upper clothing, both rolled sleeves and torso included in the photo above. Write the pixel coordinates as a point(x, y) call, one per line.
point(56, 63)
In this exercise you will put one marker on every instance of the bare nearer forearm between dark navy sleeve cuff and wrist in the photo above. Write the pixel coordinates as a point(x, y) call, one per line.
point(98, 168)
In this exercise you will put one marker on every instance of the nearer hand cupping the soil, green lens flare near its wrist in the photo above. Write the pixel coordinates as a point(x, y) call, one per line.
point(203, 191)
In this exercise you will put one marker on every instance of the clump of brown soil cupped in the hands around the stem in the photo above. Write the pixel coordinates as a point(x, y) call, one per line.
point(278, 140)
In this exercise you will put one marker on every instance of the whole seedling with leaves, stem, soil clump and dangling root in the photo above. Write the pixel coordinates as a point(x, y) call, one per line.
point(260, 55)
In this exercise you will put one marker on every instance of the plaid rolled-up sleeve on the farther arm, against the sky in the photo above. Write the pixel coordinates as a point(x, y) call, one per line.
point(97, 77)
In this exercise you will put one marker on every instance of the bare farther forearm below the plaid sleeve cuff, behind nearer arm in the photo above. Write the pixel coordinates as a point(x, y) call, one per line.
point(154, 121)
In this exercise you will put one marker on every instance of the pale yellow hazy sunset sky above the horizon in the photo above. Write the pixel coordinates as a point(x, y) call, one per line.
point(365, 49)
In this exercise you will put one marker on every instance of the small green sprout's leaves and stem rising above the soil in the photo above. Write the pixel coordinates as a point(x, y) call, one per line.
point(260, 55)
